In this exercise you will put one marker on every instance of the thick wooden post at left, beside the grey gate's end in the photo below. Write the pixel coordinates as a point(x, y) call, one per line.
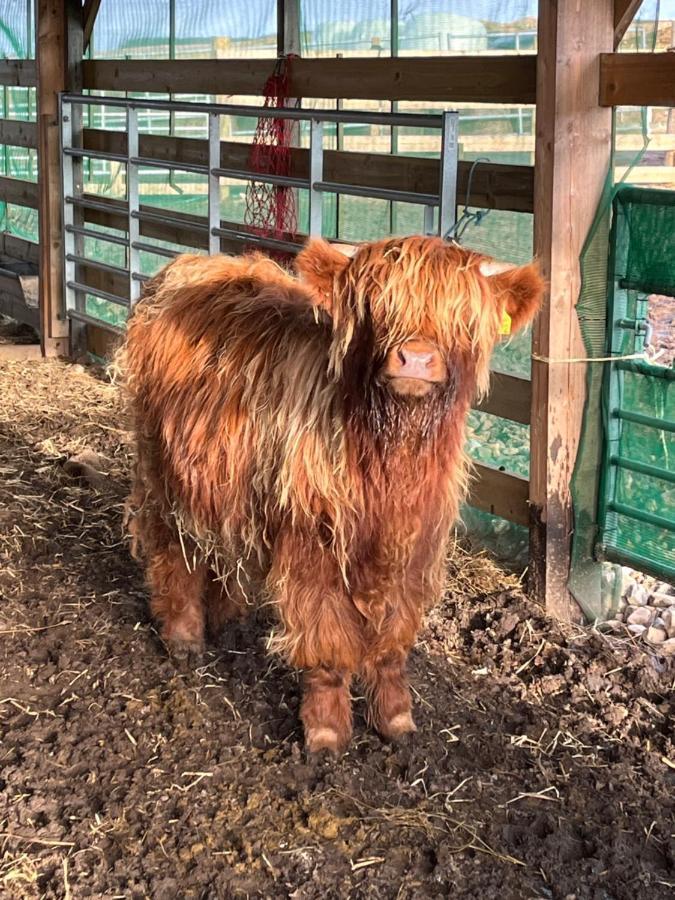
point(59, 68)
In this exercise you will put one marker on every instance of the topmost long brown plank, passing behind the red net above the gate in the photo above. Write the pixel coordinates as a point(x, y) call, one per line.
point(476, 79)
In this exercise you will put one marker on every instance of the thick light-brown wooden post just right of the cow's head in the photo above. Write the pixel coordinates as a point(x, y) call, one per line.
point(573, 144)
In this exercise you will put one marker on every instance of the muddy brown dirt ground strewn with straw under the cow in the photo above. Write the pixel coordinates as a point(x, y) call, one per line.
point(543, 766)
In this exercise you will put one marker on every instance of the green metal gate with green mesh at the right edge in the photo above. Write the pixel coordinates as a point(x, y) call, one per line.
point(637, 511)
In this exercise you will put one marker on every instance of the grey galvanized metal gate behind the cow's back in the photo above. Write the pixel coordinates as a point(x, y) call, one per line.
point(439, 216)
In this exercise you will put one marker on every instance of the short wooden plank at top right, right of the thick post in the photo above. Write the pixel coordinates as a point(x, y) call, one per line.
point(637, 79)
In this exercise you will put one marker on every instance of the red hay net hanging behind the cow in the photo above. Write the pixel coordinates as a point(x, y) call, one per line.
point(271, 209)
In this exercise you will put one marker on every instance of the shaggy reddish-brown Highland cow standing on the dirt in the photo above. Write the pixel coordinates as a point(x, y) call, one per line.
point(301, 441)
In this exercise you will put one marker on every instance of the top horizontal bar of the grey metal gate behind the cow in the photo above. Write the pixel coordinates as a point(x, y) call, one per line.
point(346, 117)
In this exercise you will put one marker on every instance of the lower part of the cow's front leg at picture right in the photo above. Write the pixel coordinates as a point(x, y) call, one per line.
point(387, 692)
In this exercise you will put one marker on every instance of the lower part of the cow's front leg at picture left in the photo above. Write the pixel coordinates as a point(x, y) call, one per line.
point(326, 710)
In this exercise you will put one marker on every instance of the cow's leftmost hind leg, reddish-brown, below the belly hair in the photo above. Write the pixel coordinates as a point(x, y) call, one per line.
point(177, 597)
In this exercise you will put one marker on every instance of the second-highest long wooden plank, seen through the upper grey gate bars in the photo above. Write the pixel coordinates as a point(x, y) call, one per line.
point(494, 185)
